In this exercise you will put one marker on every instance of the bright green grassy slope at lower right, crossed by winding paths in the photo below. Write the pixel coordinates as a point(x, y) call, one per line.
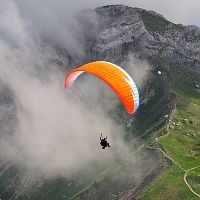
point(182, 142)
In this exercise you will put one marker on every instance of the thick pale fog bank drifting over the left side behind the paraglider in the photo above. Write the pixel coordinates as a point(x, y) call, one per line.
point(56, 132)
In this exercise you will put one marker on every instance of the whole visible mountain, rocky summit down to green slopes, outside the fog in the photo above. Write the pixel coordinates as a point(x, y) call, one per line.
point(166, 126)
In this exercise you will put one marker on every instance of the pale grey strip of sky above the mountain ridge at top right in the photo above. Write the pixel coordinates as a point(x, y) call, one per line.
point(179, 11)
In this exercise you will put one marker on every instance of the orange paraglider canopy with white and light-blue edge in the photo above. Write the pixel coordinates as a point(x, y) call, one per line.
point(115, 77)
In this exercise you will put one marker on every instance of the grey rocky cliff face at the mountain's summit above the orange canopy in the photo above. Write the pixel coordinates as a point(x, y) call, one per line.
point(123, 30)
